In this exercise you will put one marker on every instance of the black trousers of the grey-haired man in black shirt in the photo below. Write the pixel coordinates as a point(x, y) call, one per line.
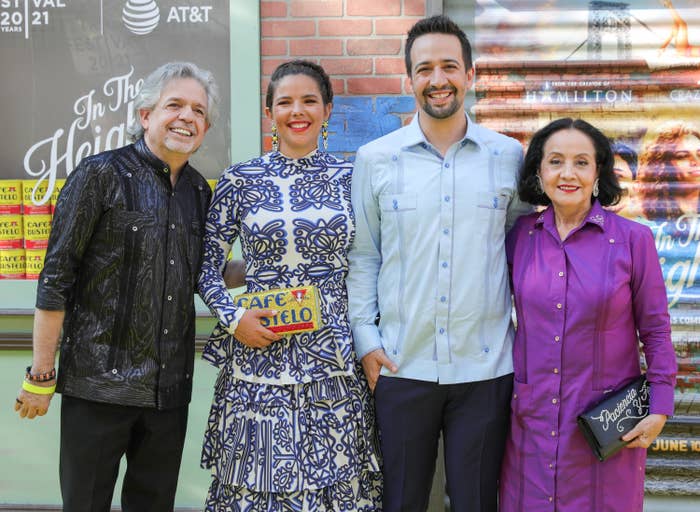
point(95, 436)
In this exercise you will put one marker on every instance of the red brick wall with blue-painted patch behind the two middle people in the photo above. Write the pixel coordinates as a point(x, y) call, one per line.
point(360, 44)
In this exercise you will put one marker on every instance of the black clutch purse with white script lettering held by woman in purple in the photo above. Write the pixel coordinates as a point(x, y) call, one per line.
point(604, 424)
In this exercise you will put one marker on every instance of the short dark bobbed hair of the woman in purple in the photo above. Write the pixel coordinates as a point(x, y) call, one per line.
point(608, 187)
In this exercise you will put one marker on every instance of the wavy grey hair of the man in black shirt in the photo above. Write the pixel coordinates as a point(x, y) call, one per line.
point(154, 84)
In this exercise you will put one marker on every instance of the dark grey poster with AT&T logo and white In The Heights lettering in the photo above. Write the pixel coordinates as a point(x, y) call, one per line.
point(71, 69)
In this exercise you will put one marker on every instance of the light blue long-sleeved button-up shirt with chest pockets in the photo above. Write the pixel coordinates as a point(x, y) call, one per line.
point(429, 253)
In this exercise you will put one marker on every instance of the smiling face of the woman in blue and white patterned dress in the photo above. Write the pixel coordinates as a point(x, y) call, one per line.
point(298, 112)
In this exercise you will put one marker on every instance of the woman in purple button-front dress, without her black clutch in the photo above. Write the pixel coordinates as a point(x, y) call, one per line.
point(588, 288)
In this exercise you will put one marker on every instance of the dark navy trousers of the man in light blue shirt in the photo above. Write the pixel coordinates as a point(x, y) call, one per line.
point(473, 418)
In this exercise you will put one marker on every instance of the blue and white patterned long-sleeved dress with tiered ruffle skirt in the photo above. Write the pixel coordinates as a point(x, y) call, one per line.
point(291, 427)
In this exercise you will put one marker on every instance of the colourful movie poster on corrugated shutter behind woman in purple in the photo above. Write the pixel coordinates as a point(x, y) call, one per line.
point(633, 70)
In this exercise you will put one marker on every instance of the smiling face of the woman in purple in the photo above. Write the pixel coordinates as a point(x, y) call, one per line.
point(568, 170)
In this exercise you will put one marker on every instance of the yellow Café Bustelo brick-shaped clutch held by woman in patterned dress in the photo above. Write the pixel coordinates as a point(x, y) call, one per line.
point(297, 308)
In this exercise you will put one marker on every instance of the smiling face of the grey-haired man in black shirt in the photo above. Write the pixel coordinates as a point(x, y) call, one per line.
point(176, 126)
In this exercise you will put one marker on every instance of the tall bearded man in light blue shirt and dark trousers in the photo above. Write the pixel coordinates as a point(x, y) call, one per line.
point(433, 202)
